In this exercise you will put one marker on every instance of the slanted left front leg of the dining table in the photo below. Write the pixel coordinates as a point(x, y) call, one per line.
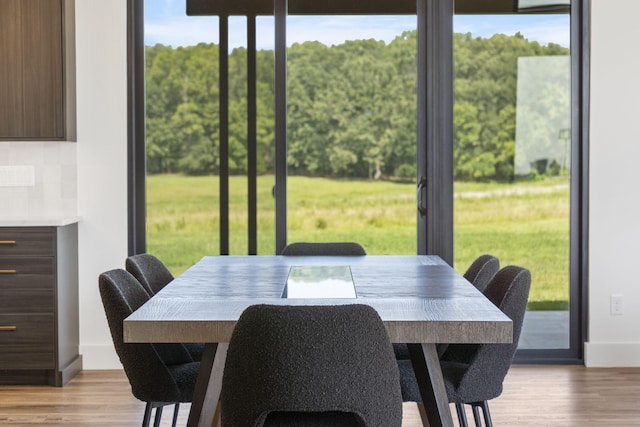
point(208, 386)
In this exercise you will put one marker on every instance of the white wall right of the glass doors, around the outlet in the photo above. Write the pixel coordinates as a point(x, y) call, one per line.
point(614, 227)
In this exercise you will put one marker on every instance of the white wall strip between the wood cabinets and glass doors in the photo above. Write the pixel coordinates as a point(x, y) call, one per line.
point(101, 74)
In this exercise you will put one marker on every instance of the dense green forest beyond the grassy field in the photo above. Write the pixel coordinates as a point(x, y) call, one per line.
point(351, 107)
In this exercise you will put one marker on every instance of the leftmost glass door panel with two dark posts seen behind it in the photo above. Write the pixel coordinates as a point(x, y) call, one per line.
point(183, 136)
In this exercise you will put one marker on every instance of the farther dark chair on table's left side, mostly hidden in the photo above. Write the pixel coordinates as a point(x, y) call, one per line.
point(153, 275)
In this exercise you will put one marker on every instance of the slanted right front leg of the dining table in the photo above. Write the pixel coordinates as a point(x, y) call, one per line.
point(426, 365)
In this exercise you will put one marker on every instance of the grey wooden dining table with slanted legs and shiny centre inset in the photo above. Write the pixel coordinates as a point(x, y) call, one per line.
point(421, 300)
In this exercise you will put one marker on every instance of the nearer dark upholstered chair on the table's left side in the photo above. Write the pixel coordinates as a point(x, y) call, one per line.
point(159, 374)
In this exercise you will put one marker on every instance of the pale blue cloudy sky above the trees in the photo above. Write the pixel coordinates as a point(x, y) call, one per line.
point(166, 23)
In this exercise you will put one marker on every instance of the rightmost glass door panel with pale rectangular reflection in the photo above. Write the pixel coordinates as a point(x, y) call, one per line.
point(511, 152)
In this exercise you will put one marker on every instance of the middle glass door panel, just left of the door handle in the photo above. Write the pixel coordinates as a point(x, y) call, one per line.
point(351, 132)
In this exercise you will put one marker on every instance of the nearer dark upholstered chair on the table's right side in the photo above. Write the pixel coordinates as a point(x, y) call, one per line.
point(474, 373)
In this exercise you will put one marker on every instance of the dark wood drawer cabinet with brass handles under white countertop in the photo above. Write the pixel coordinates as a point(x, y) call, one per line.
point(39, 305)
